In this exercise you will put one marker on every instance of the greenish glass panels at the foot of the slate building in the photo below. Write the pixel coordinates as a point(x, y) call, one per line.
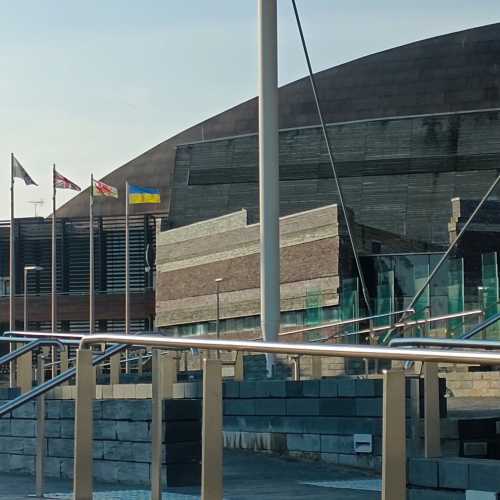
point(392, 281)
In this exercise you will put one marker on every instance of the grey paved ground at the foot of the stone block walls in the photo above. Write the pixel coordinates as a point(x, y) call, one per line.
point(246, 476)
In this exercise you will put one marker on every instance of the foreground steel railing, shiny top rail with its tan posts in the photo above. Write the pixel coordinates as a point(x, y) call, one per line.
point(394, 431)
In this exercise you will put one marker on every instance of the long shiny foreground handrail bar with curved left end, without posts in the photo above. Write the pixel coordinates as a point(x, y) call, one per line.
point(347, 351)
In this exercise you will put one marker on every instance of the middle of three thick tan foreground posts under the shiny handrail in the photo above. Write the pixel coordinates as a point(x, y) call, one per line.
point(212, 442)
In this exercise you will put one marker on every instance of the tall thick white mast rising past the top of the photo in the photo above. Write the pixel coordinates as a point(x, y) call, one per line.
point(269, 190)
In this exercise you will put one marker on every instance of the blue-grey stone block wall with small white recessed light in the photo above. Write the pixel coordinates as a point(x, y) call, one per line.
point(312, 418)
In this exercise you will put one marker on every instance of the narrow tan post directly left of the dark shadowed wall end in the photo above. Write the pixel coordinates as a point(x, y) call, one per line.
point(158, 382)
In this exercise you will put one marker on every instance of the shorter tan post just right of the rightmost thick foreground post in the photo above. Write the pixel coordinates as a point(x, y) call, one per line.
point(432, 420)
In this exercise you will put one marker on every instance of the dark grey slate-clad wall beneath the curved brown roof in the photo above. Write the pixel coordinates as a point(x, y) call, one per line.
point(398, 174)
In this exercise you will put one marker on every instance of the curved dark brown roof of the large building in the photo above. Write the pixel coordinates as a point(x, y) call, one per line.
point(450, 73)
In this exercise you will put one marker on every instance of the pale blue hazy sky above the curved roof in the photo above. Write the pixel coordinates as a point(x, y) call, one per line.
point(91, 84)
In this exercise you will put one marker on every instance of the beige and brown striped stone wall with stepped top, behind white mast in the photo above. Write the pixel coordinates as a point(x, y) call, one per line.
point(190, 258)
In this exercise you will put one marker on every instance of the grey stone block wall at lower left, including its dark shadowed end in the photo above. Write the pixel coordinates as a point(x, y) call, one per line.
point(122, 441)
